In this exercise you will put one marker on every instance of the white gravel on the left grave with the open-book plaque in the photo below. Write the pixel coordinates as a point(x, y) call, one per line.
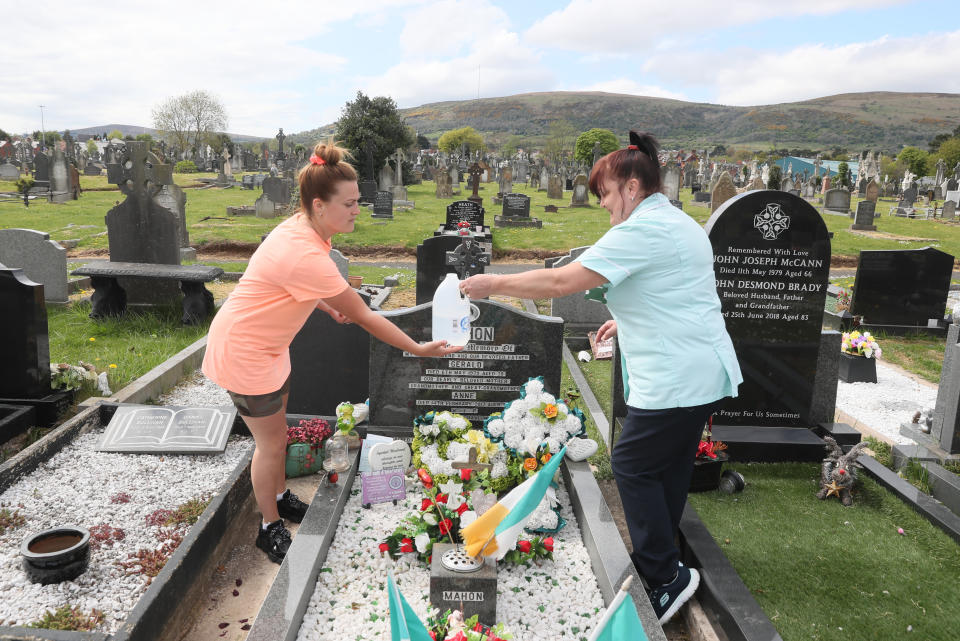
point(75, 487)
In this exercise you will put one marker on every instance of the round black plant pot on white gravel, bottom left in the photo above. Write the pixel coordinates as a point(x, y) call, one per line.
point(55, 555)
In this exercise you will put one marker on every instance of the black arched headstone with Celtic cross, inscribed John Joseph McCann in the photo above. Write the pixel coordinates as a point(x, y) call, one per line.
point(771, 262)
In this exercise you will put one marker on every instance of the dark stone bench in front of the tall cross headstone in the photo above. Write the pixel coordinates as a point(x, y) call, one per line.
point(109, 298)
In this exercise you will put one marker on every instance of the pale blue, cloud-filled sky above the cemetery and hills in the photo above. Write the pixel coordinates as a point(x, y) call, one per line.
point(293, 64)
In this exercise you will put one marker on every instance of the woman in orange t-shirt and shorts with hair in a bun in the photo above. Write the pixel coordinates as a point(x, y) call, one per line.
point(289, 276)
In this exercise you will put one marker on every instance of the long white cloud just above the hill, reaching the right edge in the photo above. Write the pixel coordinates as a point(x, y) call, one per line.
point(810, 71)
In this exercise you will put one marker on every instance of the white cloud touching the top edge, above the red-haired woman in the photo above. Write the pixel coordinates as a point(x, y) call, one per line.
point(615, 26)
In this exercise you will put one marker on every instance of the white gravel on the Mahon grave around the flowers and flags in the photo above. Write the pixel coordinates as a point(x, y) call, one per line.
point(350, 600)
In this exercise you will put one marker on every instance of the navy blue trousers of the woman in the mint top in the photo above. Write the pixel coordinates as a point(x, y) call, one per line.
point(653, 462)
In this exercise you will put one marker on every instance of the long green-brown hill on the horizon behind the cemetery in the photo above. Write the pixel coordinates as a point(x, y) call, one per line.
point(856, 121)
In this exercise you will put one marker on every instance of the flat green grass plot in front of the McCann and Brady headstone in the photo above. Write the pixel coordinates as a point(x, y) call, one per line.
point(822, 571)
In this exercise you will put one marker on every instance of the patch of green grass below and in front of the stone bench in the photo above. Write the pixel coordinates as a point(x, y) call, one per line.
point(125, 348)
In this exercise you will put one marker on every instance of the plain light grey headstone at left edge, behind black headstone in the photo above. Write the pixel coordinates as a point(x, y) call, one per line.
point(42, 260)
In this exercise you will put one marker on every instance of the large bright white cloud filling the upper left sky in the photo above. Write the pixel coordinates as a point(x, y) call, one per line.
point(114, 64)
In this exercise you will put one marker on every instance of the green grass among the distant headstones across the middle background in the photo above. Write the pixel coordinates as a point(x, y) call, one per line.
point(207, 220)
